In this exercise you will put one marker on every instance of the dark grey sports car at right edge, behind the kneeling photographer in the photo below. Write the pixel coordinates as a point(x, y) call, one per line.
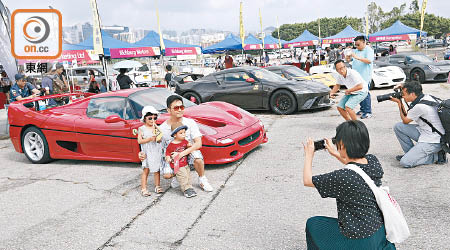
point(417, 66)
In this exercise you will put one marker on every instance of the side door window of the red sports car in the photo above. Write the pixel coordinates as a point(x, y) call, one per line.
point(101, 108)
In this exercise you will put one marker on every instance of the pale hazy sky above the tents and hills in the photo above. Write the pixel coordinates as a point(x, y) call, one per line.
point(183, 15)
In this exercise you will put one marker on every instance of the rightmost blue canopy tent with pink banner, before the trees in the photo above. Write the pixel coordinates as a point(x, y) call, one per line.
point(398, 31)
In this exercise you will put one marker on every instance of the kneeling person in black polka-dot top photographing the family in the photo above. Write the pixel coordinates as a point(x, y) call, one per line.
point(359, 224)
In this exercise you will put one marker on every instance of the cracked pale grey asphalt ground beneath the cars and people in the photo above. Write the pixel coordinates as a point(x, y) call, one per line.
point(259, 202)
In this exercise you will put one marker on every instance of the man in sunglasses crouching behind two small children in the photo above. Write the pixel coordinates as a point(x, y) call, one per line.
point(175, 108)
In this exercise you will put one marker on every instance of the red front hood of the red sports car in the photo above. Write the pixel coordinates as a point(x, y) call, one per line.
point(218, 119)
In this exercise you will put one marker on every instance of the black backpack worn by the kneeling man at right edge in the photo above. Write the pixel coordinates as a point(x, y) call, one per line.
point(443, 109)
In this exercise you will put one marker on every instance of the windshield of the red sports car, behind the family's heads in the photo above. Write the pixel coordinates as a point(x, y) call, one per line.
point(154, 97)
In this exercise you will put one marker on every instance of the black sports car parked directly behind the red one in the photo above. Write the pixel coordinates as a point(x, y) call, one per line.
point(254, 88)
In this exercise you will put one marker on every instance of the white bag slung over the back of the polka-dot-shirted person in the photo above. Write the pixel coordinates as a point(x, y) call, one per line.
point(394, 222)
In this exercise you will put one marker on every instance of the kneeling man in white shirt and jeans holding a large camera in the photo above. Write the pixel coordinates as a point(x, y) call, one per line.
point(427, 150)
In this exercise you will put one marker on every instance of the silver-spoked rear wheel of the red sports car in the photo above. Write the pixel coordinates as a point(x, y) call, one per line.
point(35, 146)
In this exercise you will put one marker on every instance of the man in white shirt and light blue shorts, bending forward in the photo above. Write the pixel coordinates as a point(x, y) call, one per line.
point(356, 90)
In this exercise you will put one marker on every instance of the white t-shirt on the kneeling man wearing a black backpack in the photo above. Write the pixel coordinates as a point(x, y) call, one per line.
point(430, 114)
